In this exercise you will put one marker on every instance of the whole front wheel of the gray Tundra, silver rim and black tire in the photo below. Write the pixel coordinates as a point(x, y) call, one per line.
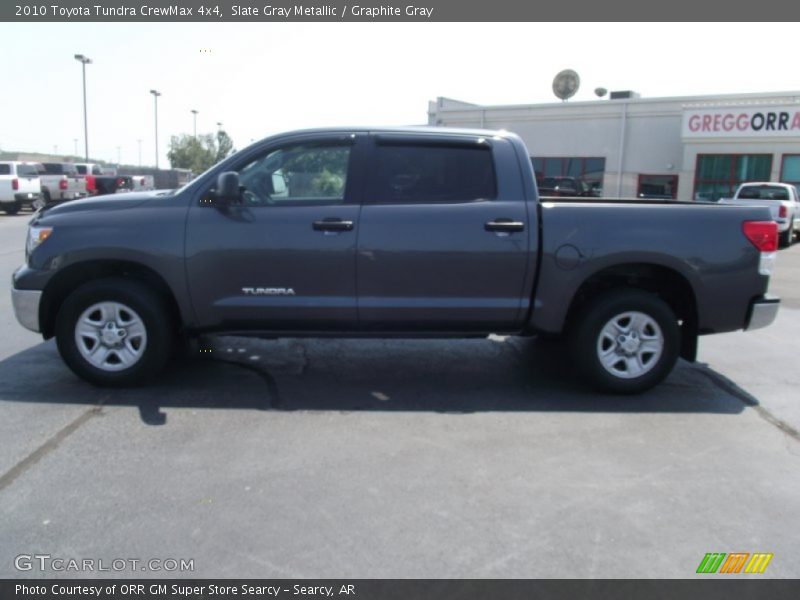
point(114, 332)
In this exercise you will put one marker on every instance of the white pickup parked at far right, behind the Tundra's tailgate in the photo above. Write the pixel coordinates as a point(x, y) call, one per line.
point(781, 199)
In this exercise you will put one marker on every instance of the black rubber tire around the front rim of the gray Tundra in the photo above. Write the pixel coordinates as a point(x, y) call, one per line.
point(147, 306)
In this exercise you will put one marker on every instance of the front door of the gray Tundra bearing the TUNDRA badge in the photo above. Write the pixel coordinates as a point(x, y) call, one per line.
point(283, 258)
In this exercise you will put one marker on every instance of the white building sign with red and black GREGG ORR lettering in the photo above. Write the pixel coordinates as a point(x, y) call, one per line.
point(772, 121)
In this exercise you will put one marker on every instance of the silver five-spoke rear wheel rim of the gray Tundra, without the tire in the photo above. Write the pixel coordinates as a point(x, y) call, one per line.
point(630, 345)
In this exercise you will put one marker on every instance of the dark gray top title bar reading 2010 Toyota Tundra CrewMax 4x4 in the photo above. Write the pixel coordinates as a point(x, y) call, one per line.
point(281, 11)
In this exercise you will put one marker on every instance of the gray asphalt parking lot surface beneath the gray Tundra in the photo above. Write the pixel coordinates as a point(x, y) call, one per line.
point(359, 459)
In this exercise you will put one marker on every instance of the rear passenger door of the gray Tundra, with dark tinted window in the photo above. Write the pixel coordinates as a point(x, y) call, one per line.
point(443, 242)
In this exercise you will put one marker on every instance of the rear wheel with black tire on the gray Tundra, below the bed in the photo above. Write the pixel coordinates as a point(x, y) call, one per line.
point(587, 340)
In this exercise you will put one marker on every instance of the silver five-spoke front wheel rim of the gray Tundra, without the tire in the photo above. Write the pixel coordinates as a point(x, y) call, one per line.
point(110, 336)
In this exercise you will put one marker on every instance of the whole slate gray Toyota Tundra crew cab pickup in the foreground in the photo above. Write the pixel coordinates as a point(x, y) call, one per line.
point(390, 233)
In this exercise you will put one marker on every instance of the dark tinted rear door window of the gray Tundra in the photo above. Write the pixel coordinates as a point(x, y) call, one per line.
point(423, 174)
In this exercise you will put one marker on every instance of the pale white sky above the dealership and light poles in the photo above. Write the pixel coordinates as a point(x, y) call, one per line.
point(262, 78)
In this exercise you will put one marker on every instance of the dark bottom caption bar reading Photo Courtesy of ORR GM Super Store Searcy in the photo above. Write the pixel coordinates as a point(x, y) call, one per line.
point(704, 587)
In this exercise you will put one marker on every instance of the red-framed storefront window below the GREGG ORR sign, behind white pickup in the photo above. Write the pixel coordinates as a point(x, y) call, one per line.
point(718, 175)
